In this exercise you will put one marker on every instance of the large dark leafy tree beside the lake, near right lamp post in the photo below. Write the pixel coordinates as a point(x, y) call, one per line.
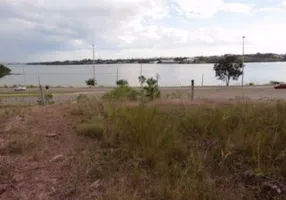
point(227, 68)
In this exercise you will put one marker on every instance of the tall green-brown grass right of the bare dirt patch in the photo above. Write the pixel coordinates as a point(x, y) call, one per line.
point(202, 152)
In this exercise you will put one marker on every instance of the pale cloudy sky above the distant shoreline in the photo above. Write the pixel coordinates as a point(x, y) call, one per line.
point(47, 30)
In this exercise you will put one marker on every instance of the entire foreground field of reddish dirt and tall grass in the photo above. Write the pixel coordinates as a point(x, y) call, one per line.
point(126, 150)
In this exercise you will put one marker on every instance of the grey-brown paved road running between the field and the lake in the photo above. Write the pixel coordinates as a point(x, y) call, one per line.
point(211, 92)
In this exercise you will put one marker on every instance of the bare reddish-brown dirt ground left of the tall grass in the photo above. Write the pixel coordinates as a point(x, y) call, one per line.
point(35, 151)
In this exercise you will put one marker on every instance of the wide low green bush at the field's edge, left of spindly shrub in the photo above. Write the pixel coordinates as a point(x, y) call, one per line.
point(122, 93)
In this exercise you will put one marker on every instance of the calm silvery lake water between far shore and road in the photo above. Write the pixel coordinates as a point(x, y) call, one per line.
point(170, 74)
